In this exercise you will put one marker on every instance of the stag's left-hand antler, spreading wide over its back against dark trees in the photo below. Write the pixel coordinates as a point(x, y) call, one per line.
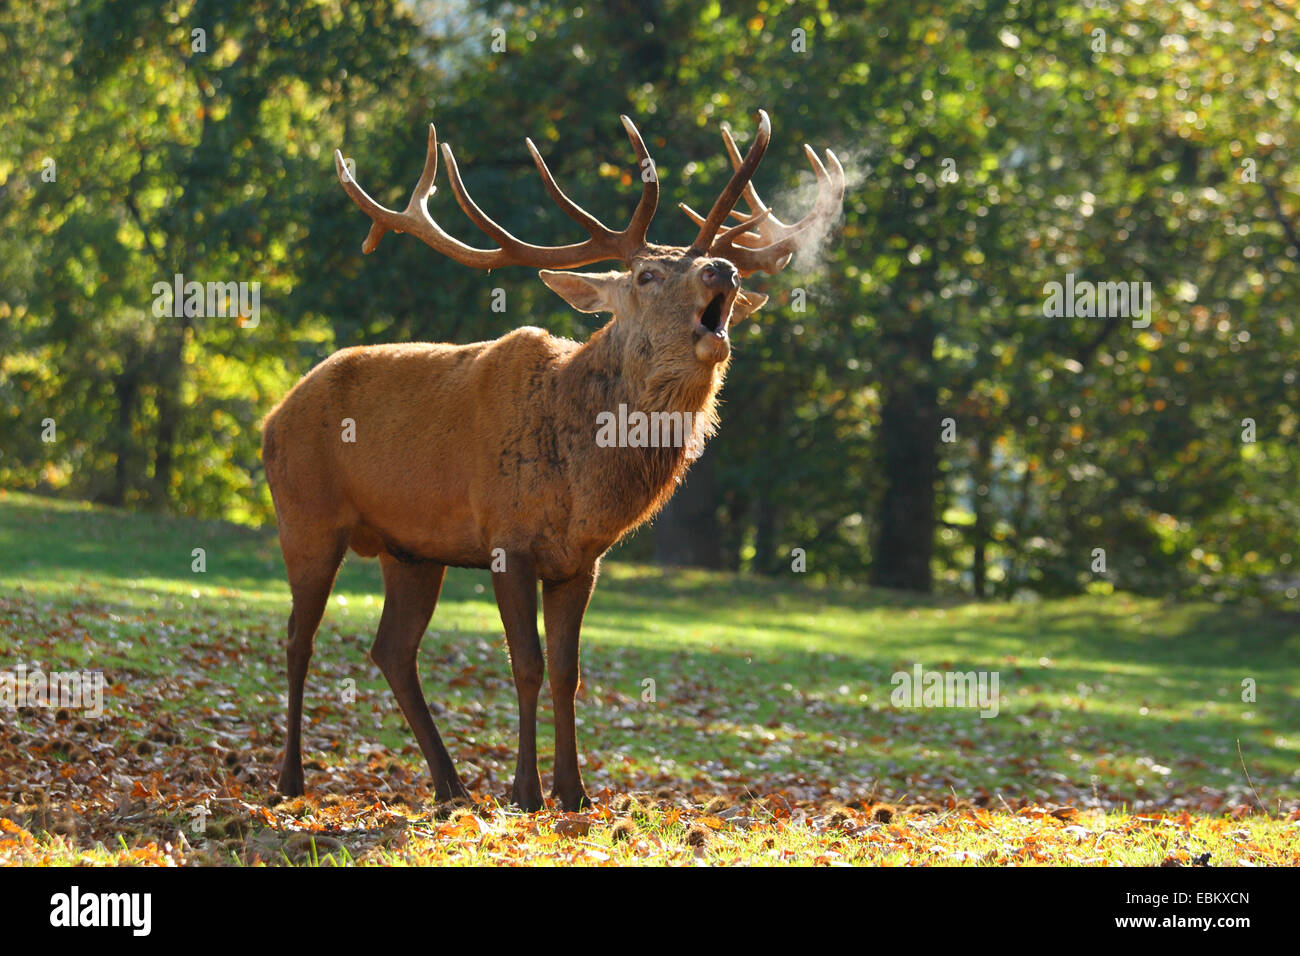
point(604, 243)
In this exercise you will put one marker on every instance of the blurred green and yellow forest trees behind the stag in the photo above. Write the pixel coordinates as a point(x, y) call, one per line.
point(993, 148)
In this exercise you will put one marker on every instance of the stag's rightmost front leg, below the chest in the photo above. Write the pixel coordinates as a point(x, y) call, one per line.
point(564, 607)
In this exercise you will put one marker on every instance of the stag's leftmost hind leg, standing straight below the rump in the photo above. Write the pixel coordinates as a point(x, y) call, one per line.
point(311, 578)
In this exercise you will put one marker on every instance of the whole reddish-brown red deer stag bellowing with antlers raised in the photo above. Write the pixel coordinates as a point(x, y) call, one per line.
point(487, 456)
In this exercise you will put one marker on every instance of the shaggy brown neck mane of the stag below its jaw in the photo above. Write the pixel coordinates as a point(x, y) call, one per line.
point(619, 367)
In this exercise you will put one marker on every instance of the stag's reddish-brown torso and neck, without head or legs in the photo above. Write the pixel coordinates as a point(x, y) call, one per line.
point(462, 451)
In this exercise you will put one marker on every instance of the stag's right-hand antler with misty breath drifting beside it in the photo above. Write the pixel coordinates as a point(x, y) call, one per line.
point(770, 246)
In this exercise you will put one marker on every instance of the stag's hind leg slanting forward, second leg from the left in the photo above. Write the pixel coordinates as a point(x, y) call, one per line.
point(410, 595)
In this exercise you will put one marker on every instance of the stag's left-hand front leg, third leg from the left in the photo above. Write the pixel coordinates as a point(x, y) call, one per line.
point(517, 600)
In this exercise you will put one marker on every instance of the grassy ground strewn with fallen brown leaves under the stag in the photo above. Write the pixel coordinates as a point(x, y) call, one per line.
point(1121, 737)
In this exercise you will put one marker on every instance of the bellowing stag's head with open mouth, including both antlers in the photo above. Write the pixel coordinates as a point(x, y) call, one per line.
point(671, 302)
